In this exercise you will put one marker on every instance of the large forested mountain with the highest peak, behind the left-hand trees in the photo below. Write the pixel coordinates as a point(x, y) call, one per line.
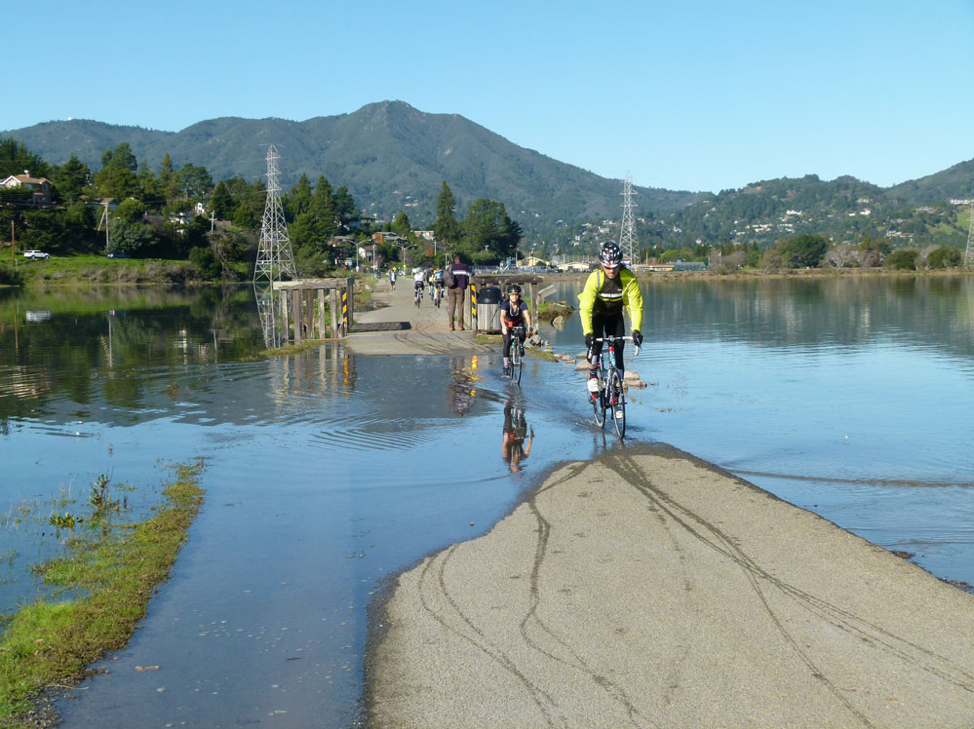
point(391, 157)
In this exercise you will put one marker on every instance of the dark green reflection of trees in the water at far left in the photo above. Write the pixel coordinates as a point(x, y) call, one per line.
point(111, 343)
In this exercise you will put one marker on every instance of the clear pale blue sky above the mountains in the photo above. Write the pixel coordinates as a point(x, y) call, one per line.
point(695, 95)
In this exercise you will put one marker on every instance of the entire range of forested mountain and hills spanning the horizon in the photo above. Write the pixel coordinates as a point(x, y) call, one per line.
point(393, 157)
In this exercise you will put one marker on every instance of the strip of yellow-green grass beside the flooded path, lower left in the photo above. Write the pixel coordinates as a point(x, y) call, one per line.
point(108, 577)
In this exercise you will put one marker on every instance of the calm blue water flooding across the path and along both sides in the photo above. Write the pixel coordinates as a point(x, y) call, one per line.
point(326, 473)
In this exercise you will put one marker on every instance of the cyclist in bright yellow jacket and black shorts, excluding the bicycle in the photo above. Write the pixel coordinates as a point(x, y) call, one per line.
point(601, 302)
